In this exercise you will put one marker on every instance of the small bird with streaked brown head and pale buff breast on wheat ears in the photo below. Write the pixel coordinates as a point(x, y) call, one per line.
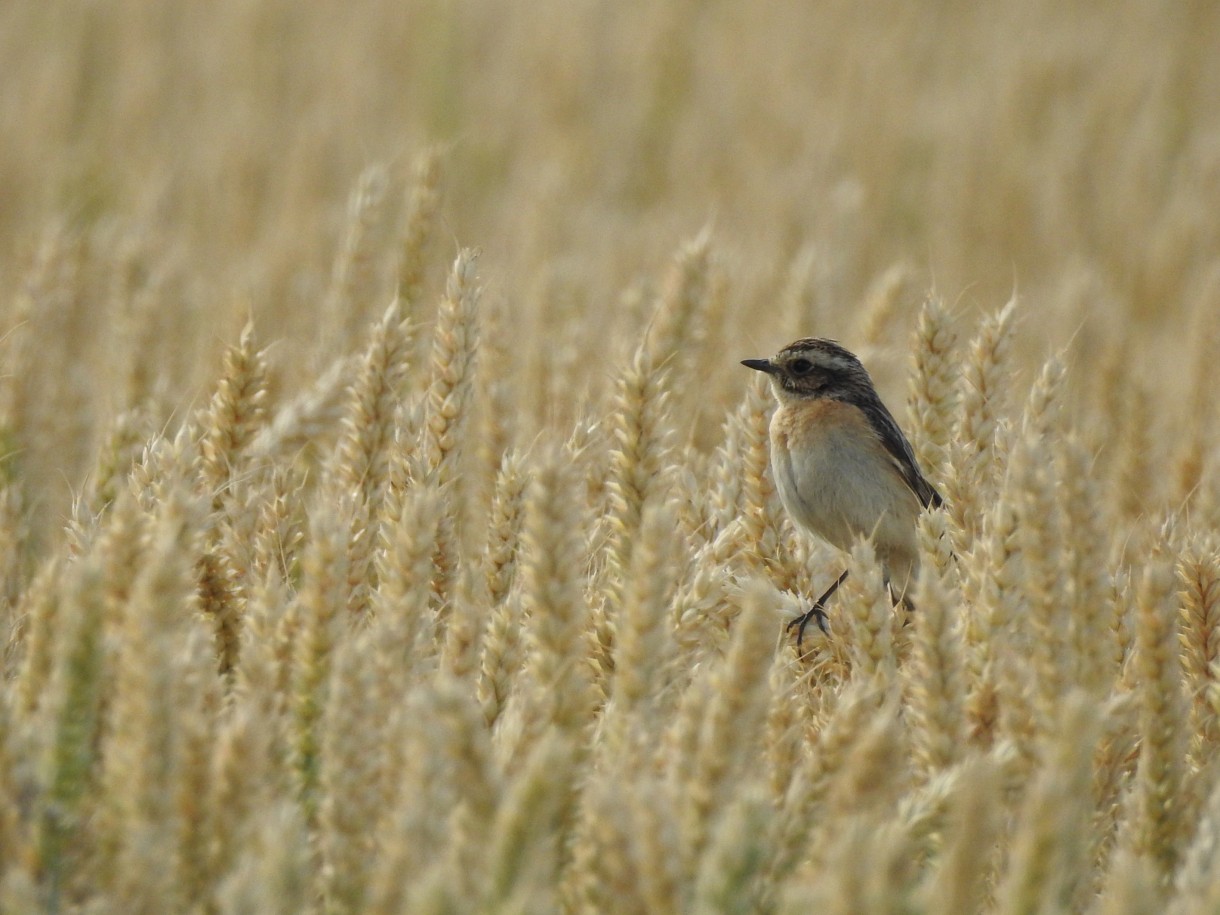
point(842, 467)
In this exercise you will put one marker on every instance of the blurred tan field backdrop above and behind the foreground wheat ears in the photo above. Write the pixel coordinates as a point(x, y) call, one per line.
point(171, 169)
